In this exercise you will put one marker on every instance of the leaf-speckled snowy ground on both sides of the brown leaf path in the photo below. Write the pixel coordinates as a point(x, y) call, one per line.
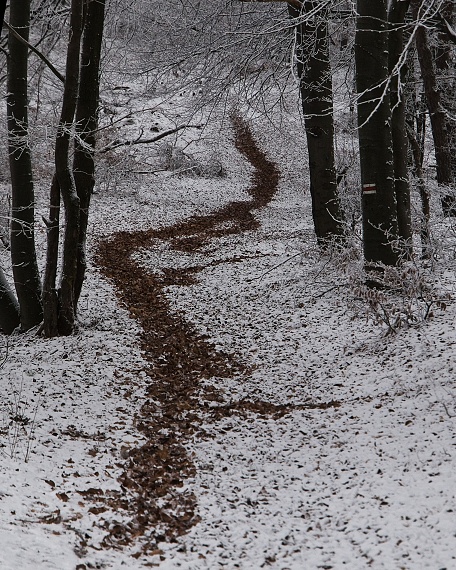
point(360, 475)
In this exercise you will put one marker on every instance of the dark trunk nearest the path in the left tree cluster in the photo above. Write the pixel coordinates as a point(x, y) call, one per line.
point(87, 122)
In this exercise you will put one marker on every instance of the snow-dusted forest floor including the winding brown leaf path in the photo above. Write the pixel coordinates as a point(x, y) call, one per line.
point(226, 401)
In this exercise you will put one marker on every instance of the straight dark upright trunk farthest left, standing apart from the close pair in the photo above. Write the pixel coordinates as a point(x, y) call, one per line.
point(23, 254)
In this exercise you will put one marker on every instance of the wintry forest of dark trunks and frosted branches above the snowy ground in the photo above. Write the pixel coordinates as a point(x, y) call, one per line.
point(375, 80)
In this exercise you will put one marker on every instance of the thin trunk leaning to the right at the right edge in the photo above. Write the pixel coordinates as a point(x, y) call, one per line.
point(437, 114)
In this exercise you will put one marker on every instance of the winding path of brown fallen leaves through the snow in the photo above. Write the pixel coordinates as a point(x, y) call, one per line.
point(180, 358)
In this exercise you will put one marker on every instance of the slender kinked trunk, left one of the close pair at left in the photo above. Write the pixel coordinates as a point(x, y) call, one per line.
point(64, 174)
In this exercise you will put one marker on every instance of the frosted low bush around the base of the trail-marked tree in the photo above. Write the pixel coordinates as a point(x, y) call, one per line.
point(389, 297)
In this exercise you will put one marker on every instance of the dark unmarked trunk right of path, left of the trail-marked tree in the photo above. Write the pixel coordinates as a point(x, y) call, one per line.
point(314, 70)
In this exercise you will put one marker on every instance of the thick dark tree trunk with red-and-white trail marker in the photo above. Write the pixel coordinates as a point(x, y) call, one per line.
point(379, 206)
